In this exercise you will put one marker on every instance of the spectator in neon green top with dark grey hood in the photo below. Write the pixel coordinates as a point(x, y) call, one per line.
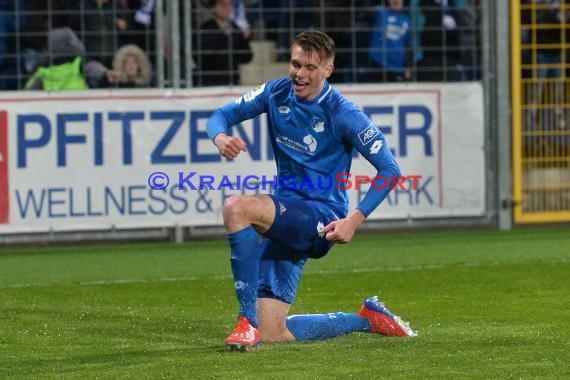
point(64, 70)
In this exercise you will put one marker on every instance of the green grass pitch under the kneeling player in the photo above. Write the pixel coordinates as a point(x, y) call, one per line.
point(487, 304)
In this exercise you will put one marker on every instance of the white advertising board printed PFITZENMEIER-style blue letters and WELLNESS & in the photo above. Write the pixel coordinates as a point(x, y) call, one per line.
point(84, 160)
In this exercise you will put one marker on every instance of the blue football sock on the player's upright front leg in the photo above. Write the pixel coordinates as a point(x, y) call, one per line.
point(245, 253)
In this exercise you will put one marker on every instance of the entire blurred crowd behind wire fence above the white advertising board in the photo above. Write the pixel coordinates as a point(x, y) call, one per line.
point(78, 44)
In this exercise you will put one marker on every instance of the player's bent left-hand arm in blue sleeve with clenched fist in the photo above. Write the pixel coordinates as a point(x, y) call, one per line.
point(219, 124)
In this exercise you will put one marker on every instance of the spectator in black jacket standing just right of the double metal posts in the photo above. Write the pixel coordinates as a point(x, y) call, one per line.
point(220, 47)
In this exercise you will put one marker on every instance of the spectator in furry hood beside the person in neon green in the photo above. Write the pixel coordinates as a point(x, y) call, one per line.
point(131, 68)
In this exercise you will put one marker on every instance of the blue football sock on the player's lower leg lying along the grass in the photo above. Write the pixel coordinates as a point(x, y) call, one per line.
point(324, 326)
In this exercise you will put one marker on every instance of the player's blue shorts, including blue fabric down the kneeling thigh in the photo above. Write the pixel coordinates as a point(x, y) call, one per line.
point(292, 238)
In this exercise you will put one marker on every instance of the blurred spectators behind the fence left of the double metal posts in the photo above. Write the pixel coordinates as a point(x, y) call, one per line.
point(75, 44)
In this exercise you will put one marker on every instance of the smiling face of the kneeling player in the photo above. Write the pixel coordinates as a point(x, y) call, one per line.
point(308, 72)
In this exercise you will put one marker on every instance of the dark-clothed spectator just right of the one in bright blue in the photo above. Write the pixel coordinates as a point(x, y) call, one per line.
point(439, 41)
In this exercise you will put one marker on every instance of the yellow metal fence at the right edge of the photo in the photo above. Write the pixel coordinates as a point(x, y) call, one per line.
point(541, 111)
